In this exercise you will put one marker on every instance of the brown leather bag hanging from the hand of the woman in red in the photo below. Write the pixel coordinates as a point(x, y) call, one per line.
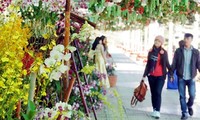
point(139, 93)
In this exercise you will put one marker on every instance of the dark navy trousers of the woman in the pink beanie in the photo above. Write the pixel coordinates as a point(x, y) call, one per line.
point(156, 85)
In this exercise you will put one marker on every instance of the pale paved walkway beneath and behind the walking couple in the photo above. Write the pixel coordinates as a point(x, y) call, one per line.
point(129, 75)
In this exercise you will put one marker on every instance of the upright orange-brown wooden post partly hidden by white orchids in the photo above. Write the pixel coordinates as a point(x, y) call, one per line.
point(66, 43)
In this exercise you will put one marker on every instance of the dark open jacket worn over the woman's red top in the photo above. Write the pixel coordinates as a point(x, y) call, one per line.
point(164, 62)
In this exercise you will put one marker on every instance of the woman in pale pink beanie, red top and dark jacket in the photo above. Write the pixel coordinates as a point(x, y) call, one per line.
point(156, 70)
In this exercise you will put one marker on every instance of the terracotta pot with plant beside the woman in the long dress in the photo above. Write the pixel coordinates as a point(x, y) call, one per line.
point(111, 74)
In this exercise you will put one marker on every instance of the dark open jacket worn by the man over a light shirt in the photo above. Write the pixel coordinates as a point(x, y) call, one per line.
point(178, 62)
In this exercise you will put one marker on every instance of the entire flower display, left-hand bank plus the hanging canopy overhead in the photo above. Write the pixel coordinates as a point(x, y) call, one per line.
point(45, 73)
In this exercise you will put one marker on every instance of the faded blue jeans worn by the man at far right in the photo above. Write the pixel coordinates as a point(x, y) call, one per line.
point(191, 89)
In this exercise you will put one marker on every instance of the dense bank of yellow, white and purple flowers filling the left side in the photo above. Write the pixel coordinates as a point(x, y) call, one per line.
point(45, 72)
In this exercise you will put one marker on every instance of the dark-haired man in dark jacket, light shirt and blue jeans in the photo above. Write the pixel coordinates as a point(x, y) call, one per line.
point(186, 62)
